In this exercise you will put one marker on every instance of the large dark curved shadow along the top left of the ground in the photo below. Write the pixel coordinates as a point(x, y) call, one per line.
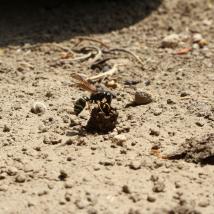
point(43, 21)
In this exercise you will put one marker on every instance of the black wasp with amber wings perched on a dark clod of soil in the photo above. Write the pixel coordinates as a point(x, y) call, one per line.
point(101, 97)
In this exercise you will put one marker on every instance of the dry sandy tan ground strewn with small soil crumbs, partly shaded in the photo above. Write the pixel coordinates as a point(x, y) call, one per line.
point(49, 164)
